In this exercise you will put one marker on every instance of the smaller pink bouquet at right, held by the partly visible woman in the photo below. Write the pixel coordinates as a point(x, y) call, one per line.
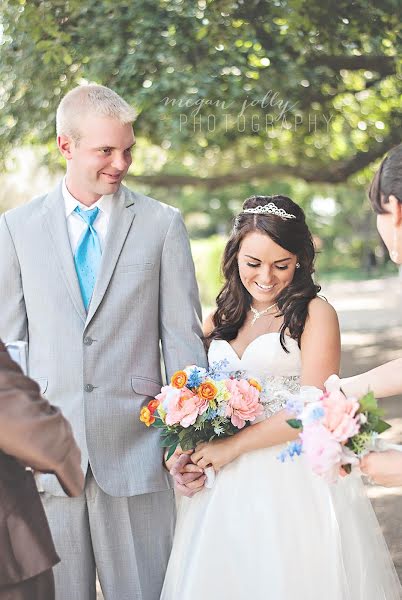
point(335, 429)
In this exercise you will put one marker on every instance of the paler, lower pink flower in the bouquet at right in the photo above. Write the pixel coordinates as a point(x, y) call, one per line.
point(322, 450)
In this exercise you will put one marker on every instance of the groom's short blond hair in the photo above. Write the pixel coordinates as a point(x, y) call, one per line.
point(87, 100)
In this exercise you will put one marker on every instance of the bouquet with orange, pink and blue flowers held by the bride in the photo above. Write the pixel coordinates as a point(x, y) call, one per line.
point(200, 405)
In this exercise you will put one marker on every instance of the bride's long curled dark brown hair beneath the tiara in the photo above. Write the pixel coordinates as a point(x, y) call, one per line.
point(233, 301)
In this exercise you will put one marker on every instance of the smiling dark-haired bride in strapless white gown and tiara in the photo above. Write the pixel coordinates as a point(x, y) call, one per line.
point(268, 530)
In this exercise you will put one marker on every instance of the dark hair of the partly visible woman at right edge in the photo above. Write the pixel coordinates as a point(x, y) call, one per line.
point(387, 181)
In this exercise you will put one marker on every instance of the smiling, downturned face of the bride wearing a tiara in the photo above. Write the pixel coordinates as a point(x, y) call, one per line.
point(265, 268)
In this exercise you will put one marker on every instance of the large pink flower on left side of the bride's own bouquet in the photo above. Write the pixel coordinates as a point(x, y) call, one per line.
point(181, 405)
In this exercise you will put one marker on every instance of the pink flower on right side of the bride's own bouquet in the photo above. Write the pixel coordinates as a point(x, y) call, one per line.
point(243, 404)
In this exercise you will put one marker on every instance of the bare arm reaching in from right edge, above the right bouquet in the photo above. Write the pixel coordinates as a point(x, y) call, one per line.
point(383, 381)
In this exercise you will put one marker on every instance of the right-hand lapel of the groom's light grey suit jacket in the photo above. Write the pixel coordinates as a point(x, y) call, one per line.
point(119, 226)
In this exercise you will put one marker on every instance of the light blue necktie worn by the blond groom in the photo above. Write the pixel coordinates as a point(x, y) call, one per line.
point(87, 255)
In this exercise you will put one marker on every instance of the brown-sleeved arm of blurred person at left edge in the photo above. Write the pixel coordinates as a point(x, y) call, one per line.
point(35, 432)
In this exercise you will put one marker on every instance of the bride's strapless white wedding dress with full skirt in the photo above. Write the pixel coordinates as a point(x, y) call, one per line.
point(276, 531)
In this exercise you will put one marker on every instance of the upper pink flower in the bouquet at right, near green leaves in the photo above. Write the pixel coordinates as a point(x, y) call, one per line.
point(340, 415)
